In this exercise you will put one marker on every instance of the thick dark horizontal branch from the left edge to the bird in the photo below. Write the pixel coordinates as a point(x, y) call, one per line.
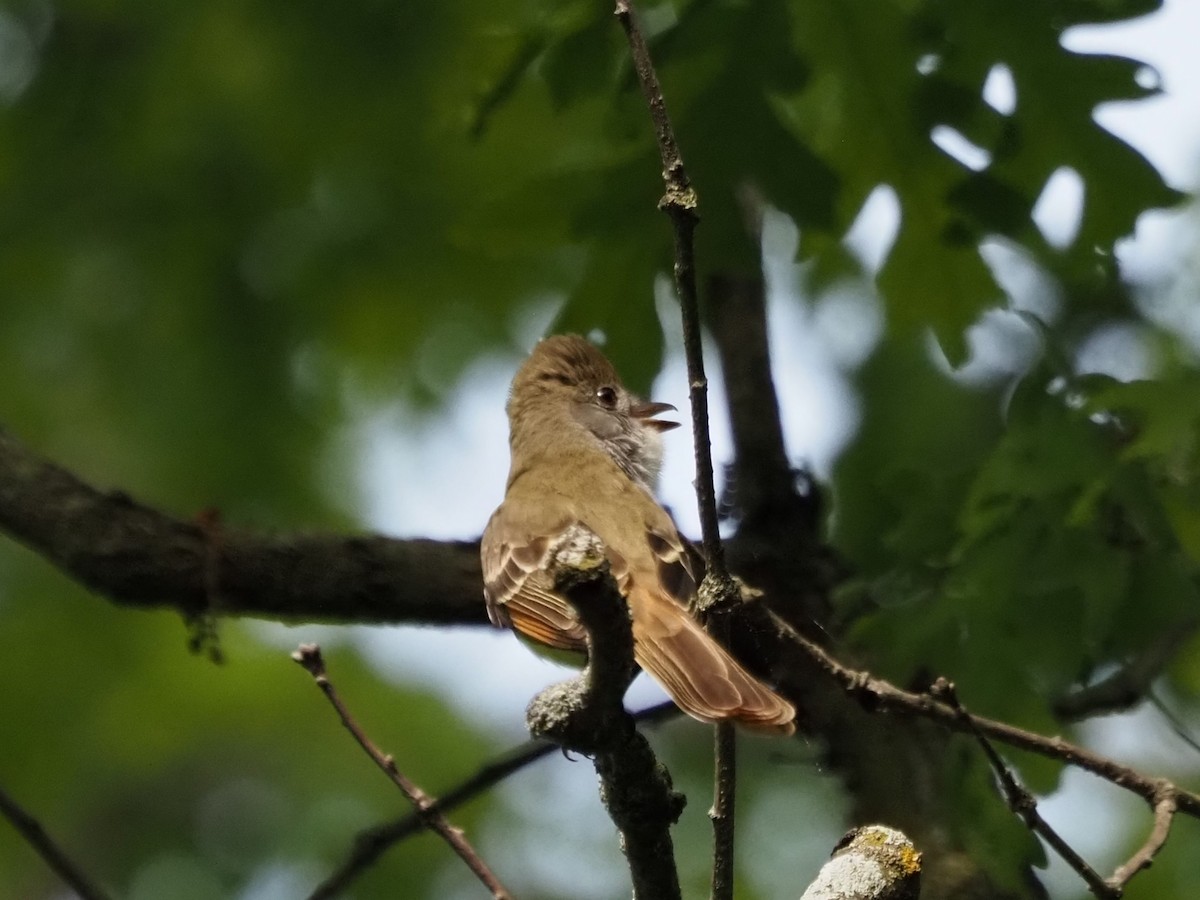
point(141, 557)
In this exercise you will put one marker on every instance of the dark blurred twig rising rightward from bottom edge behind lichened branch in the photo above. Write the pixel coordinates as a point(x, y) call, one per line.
point(373, 843)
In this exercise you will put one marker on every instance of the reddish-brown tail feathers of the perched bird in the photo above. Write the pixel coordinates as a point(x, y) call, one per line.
point(700, 675)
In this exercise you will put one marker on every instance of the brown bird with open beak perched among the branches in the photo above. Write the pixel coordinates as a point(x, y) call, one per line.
point(586, 455)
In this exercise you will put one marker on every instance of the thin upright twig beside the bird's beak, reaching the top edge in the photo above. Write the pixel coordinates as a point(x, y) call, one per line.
point(680, 202)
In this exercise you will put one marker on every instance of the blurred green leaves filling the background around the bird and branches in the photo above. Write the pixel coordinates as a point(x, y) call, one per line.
point(219, 221)
